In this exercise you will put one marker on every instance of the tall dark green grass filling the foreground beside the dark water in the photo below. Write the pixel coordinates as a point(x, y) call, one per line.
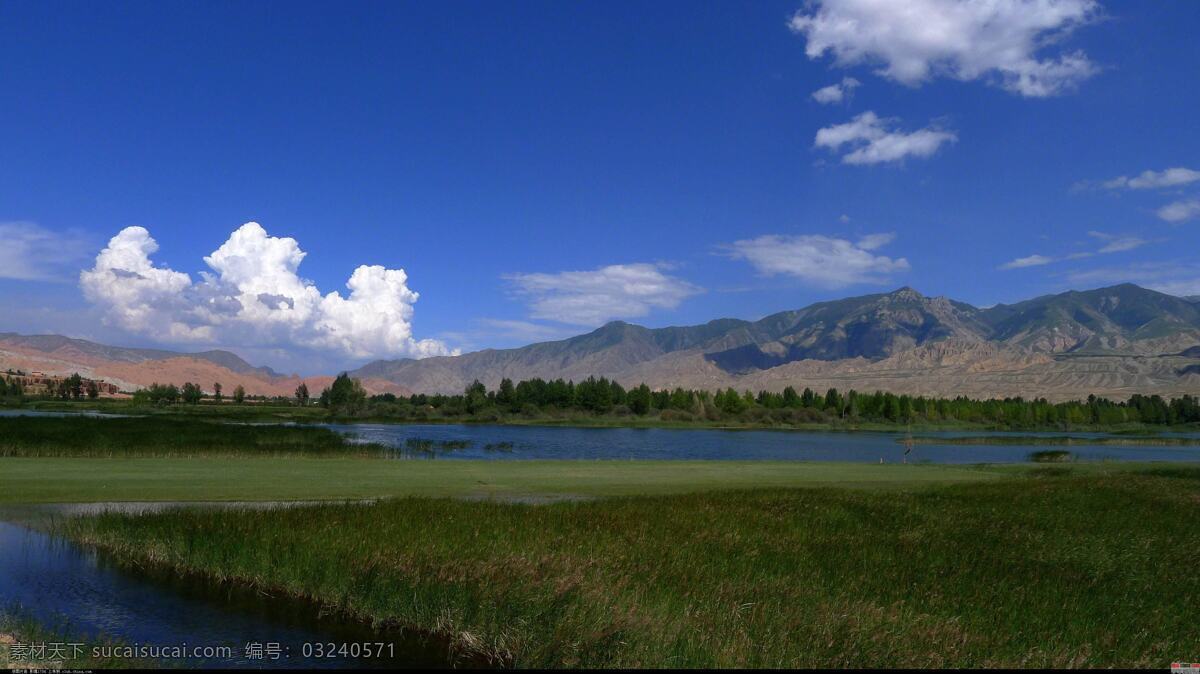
point(1053, 569)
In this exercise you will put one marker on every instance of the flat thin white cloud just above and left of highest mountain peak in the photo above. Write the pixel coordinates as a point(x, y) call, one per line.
point(823, 261)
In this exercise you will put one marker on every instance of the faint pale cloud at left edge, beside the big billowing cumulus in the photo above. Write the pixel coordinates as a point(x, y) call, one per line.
point(31, 252)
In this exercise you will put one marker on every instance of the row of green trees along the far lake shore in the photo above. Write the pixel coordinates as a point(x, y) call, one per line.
point(602, 396)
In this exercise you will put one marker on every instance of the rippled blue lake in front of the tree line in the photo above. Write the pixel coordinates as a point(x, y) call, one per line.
point(507, 443)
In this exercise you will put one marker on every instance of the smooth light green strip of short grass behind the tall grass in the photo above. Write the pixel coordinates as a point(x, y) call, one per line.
point(81, 480)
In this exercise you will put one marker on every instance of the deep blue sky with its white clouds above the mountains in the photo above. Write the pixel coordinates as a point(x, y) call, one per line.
point(538, 168)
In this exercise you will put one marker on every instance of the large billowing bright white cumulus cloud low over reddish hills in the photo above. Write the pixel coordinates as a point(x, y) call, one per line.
point(254, 297)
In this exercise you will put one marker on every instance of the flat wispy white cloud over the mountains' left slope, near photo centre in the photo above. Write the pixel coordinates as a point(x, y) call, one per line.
point(596, 297)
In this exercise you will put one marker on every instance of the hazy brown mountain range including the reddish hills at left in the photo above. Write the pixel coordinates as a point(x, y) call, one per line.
point(1111, 341)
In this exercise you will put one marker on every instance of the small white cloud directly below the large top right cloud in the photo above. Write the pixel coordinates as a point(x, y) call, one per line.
point(872, 141)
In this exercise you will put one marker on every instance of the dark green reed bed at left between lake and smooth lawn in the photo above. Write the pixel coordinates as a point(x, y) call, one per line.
point(163, 437)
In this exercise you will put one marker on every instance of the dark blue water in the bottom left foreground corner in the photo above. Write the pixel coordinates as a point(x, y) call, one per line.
point(58, 583)
